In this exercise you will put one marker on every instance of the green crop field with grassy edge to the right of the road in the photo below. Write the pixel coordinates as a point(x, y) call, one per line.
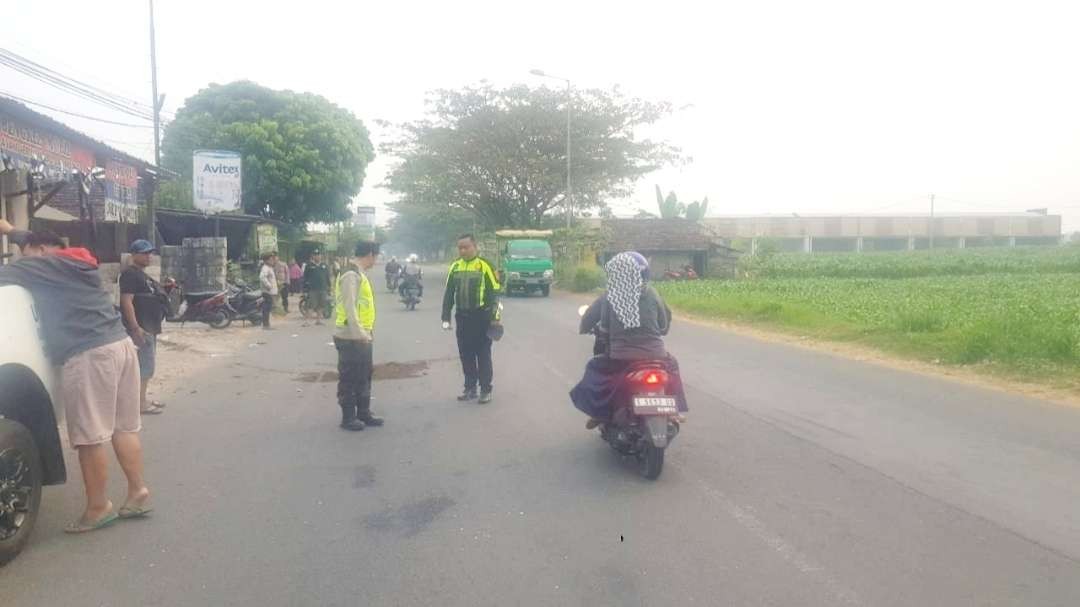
point(1014, 315)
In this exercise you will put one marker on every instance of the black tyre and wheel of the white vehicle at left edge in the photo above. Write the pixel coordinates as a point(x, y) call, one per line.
point(21, 475)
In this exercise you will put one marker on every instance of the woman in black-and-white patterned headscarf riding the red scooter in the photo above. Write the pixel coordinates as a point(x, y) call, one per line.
point(631, 319)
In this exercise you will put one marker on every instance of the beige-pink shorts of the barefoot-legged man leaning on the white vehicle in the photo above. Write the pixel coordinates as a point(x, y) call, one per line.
point(100, 390)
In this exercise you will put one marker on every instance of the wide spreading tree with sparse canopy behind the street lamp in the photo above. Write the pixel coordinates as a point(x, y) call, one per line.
point(501, 154)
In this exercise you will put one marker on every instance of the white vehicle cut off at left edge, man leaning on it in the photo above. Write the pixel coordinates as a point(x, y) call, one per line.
point(31, 452)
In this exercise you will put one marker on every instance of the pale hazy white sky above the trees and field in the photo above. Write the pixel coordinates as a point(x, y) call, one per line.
point(788, 106)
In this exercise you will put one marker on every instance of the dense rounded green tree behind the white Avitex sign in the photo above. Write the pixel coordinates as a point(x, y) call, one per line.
point(304, 158)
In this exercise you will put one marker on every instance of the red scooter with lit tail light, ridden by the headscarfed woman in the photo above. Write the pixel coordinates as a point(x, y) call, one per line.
point(646, 417)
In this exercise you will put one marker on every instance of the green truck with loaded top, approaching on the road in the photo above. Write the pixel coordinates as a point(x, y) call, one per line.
point(524, 261)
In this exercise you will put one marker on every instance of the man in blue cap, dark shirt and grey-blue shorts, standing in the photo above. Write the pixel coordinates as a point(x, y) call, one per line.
point(143, 311)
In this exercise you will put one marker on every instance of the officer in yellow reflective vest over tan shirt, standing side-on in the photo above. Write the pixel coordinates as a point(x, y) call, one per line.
point(355, 307)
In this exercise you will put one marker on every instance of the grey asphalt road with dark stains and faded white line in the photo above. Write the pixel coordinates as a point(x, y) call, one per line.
point(801, 479)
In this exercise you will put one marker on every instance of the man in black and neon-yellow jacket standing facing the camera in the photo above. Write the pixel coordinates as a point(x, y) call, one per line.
point(472, 287)
